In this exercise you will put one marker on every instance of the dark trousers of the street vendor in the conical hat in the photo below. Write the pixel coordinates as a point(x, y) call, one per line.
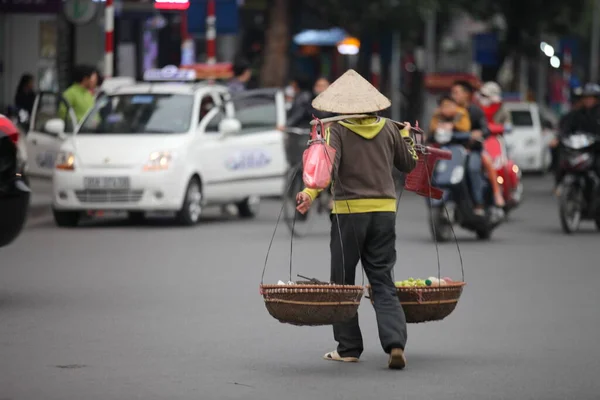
point(371, 239)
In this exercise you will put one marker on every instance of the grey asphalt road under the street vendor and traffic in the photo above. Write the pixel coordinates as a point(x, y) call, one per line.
point(114, 311)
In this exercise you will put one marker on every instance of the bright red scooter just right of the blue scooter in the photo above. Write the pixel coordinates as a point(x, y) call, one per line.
point(509, 174)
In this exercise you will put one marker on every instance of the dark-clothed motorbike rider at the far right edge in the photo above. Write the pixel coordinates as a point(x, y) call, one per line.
point(586, 118)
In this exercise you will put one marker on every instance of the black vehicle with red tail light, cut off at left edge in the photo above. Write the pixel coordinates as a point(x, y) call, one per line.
point(14, 193)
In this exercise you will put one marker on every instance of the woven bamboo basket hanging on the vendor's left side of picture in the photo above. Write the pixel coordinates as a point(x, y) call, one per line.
point(310, 304)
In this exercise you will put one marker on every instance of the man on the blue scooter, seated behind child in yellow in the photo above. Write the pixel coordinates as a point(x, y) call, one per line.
point(463, 92)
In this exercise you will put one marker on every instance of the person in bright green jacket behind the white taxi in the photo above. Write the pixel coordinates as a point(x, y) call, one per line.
point(80, 94)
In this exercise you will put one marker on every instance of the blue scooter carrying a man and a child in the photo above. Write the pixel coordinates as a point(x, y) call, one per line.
point(456, 205)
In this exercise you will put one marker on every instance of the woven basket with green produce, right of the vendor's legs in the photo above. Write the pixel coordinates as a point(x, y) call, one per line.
point(427, 303)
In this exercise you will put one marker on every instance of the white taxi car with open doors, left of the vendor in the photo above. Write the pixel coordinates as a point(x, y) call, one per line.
point(168, 147)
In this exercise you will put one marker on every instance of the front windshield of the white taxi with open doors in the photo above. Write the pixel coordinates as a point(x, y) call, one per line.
point(140, 114)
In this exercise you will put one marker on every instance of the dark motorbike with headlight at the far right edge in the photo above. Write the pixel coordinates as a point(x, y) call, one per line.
point(579, 189)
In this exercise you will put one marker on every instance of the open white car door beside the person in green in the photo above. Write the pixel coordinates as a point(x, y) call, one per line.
point(43, 143)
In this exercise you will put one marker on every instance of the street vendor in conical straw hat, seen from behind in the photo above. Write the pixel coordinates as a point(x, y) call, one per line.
point(363, 226)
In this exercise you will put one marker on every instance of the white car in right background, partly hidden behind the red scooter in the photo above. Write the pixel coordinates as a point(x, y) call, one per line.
point(528, 141)
